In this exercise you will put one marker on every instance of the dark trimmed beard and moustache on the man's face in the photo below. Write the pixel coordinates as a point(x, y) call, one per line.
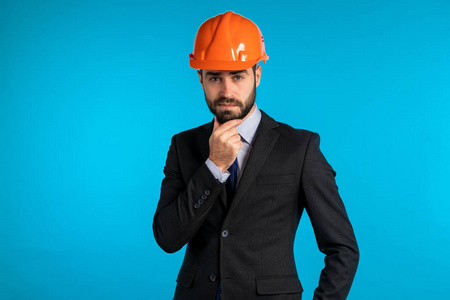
point(227, 115)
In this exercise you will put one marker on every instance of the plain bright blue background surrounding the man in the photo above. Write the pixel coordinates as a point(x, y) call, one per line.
point(92, 91)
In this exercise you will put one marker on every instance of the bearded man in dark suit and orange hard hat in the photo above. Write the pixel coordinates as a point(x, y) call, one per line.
point(235, 189)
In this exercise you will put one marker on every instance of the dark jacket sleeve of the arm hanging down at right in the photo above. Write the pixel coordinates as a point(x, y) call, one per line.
point(332, 228)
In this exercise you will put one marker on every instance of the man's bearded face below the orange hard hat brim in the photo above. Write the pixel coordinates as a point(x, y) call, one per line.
point(230, 94)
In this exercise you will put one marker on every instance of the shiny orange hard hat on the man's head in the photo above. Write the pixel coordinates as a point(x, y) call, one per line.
point(227, 42)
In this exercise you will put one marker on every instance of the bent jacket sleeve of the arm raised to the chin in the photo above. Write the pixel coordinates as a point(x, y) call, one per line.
point(184, 203)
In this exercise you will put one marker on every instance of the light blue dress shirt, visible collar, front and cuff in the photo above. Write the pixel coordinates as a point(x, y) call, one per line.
point(247, 131)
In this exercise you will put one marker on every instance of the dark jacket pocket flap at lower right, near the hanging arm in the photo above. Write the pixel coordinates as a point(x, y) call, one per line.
point(278, 285)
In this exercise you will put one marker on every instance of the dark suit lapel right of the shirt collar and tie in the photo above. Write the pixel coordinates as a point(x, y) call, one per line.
point(265, 139)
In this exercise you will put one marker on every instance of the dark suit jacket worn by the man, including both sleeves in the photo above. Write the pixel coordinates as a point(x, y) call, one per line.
point(248, 246)
